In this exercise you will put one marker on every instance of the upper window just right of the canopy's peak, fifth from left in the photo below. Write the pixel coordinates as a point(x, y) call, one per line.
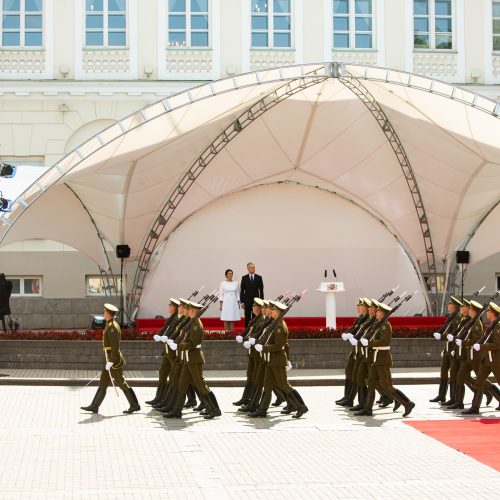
point(352, 24)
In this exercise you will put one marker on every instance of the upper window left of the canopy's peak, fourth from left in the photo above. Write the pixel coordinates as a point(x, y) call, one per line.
point(271, 24)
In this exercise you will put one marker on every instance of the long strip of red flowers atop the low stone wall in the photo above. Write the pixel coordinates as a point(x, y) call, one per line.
point(133, 334)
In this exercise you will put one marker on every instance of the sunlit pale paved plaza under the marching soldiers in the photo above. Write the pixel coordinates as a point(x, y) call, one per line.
point(49, 448)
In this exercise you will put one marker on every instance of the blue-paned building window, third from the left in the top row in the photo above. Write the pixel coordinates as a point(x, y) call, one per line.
point(188, 23)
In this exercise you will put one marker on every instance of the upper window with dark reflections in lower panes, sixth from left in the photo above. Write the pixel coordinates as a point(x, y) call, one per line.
point(433, 24)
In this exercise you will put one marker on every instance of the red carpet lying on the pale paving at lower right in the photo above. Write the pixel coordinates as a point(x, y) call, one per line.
point(478, 438)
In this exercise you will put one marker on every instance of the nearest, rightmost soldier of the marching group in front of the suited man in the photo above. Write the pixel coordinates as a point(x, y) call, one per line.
point(273, 350)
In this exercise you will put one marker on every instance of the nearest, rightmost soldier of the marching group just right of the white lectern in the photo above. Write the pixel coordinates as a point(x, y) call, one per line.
point(379, 376)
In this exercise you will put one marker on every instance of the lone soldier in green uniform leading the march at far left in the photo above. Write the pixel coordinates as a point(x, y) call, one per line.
point(114, 363)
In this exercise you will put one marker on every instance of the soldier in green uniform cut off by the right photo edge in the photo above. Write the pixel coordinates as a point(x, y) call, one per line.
point(489, 348)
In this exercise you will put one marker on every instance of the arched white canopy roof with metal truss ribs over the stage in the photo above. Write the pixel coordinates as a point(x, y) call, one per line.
point(419, 155)
